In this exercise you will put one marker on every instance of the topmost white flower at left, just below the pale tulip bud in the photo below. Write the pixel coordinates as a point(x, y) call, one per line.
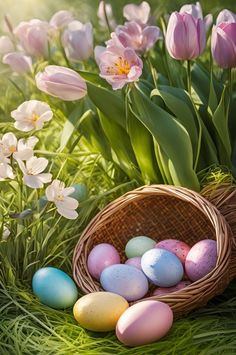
point(31, 115)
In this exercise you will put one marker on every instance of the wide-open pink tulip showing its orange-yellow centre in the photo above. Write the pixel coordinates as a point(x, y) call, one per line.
point(119, 65)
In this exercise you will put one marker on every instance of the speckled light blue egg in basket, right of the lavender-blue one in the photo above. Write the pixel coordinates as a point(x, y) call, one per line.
point(162, 267)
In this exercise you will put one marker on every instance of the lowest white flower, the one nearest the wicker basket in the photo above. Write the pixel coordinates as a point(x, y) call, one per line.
point(57, 193)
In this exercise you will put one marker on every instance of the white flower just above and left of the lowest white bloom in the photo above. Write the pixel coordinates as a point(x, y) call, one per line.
point(32, 170)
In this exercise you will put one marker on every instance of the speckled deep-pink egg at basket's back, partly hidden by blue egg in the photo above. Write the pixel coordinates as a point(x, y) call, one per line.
point(177, 247)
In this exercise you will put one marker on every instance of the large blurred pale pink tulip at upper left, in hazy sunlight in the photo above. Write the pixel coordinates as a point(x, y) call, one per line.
point(33, 37)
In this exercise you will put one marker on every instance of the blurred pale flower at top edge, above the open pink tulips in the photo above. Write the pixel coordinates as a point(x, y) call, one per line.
point(138, 13)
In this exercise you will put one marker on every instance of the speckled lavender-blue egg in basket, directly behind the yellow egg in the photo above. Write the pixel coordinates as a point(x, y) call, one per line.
point(125, 280)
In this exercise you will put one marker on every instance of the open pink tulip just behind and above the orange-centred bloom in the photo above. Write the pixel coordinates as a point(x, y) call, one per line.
point(141, 39)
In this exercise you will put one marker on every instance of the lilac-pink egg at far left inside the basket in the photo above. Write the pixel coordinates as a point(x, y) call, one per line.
point(101, 256)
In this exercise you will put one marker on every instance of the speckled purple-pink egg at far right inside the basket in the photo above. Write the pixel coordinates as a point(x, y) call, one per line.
point(201, 259)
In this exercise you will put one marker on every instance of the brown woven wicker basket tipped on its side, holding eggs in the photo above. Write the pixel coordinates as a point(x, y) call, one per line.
point(161, 212)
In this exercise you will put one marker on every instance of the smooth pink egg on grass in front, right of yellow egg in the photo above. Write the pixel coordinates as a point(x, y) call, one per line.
point(144, 323)
